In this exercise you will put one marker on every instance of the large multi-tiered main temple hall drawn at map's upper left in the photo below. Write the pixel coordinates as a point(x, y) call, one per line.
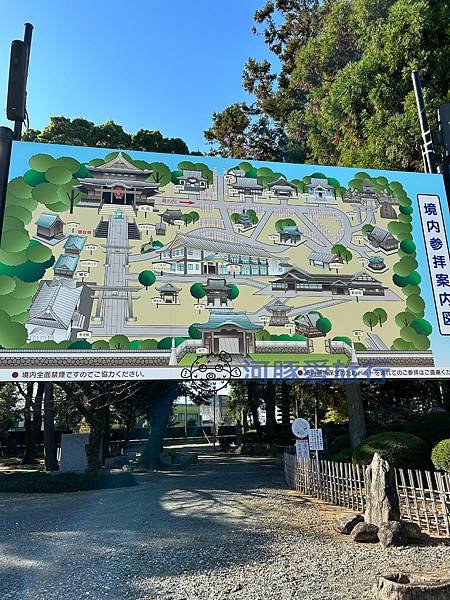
point(117, 182)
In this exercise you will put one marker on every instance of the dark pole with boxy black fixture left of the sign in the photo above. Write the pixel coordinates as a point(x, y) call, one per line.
point(15, 109)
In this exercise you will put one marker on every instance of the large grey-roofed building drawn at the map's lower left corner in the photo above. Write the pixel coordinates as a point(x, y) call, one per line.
point(54, 313)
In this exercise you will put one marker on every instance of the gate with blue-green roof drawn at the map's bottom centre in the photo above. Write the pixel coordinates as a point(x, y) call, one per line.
point(232, 332)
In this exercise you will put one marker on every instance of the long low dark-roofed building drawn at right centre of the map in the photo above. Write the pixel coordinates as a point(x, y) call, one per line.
point(297, 280)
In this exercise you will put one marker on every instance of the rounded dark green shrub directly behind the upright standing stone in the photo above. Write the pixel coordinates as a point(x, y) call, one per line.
point(399, 449)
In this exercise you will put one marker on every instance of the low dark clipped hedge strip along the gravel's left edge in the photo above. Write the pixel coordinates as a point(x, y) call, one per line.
point(43, 483)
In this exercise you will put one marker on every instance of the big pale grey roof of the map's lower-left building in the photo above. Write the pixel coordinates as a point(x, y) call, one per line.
point(54, 305)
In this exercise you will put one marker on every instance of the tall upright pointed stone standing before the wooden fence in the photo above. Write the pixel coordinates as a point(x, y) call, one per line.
point(382, 501)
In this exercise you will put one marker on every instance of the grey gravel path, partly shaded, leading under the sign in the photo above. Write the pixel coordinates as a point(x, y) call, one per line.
point(225, 528)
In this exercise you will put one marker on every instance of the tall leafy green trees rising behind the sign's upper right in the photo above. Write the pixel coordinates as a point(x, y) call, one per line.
point(337, 81)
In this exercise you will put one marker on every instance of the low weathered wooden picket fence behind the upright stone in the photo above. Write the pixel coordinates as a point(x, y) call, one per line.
point(424, 495)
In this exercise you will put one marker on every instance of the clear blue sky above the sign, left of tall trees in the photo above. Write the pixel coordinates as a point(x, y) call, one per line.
point(159, 64)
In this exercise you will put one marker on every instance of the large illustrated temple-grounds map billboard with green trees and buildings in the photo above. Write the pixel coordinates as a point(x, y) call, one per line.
point(139, 265)
